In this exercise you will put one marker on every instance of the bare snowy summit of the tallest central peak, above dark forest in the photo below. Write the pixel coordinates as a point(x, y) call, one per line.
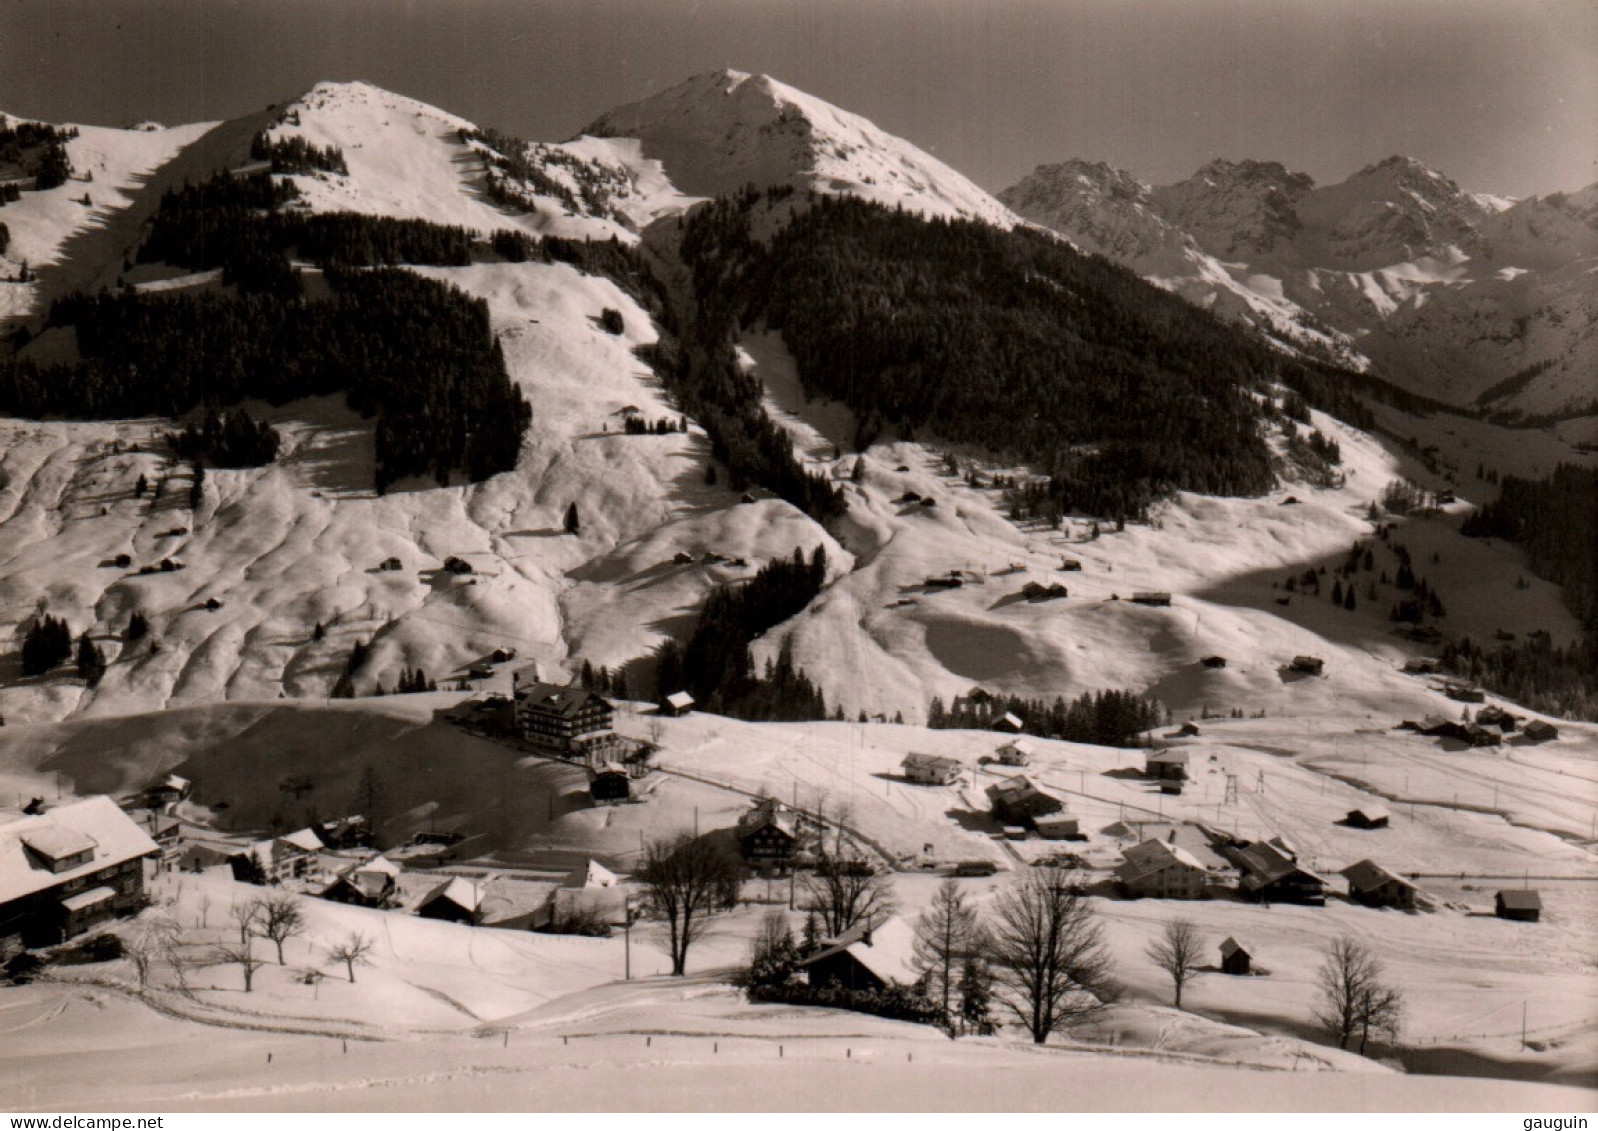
point(721, 132)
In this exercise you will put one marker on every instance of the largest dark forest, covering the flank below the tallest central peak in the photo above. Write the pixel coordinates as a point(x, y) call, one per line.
point(1004, 339)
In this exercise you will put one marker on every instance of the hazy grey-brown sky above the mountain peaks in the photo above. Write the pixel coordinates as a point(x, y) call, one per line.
point(1501, 95)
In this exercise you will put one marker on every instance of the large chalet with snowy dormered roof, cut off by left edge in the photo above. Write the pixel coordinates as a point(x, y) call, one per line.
point(65, 871)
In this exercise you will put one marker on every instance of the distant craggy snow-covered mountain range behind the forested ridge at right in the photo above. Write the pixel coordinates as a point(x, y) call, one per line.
point(1466, 298)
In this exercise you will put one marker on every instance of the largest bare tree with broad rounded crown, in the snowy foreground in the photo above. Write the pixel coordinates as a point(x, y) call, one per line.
point(1047, 953)
